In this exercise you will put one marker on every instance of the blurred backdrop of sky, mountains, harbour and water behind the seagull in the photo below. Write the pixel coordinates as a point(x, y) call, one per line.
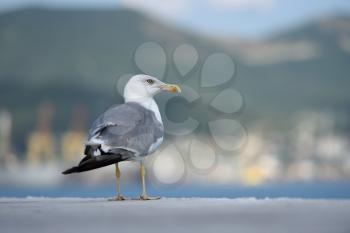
point(286, 100)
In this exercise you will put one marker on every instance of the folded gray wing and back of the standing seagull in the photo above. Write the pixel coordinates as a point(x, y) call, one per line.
point(128, 126)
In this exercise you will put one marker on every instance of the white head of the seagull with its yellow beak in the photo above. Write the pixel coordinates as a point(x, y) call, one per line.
point(145, 86)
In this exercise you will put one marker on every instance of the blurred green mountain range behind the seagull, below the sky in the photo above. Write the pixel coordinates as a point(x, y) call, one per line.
point(72, 57)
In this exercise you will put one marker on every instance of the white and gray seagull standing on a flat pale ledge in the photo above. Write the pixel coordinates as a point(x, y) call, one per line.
point(127, 132)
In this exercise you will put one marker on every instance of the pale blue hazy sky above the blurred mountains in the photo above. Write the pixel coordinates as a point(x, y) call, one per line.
point(226, 17)
